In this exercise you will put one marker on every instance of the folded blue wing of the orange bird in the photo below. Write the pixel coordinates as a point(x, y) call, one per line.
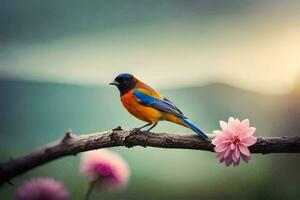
point(163, 105)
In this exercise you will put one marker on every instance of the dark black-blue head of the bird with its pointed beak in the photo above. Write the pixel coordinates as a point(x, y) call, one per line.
point(124, 82)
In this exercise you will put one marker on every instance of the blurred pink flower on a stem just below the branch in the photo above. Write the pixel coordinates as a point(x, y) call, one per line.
point(108, 168)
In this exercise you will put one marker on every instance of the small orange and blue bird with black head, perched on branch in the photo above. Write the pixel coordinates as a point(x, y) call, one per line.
point(143, 102)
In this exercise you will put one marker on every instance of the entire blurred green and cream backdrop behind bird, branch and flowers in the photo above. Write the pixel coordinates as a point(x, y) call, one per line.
point(213, 59)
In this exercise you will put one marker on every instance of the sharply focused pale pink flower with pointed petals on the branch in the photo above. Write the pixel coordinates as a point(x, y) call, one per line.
point(232, 142)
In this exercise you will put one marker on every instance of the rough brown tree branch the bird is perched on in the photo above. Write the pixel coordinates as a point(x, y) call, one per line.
point(72, 144)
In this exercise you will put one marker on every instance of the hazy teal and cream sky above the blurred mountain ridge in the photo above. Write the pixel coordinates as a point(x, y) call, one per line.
point(168, 44)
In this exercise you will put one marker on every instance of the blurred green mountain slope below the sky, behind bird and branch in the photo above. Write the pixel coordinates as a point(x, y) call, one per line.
point(34, 113)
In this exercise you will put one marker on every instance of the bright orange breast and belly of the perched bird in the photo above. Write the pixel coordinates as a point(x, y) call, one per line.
point(138, 110)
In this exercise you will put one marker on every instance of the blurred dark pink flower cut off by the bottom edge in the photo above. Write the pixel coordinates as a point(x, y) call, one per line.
point(42, 189)
